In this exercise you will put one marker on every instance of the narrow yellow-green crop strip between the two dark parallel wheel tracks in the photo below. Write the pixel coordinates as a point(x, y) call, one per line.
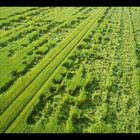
point(37, 83)
